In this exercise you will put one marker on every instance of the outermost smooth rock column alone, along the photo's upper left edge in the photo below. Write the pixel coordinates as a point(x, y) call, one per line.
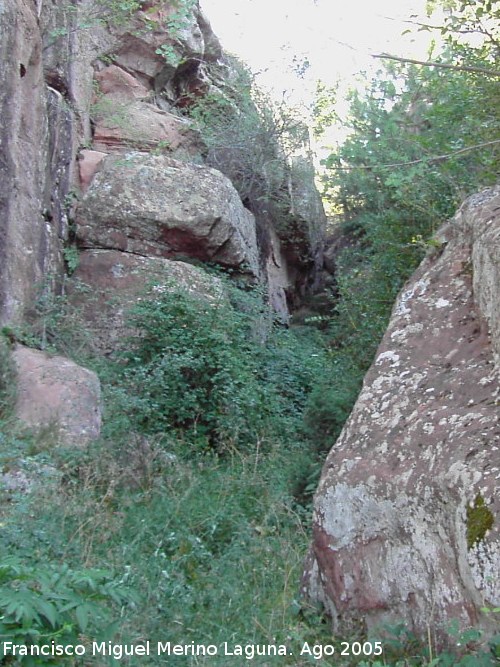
point(28, 238)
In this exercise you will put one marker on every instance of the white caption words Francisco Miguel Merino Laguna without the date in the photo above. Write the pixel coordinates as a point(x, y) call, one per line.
point(119, 651)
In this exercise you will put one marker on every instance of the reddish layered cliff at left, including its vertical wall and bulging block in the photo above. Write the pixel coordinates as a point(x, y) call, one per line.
point(81, 84)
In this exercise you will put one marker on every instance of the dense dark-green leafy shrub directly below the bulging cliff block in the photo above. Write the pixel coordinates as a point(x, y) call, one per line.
point(194, 368)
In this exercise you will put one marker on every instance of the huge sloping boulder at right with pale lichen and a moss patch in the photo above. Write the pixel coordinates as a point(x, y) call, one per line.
point(407, 513)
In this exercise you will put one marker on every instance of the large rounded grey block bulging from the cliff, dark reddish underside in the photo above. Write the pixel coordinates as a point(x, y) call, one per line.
point(156, 206)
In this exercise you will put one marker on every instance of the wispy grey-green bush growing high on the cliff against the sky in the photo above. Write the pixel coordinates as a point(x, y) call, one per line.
point(252, 140)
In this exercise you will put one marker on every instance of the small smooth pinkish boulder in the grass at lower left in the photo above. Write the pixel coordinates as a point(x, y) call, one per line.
point(57, 395)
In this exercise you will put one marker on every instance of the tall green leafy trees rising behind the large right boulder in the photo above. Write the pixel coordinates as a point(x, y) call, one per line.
point(402, 171)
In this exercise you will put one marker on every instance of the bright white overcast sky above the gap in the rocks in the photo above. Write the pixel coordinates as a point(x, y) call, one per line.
point(336, 37)
